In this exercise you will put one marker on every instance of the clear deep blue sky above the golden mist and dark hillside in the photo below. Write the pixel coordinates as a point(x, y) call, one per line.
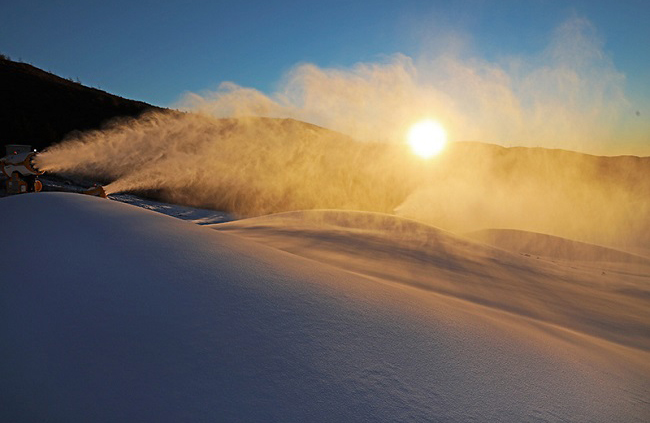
point(156, 50)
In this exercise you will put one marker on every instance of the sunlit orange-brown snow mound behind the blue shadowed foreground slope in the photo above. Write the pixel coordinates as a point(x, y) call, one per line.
point(604, 299)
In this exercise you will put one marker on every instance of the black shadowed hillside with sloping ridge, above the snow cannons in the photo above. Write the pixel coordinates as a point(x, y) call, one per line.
point(40, 108)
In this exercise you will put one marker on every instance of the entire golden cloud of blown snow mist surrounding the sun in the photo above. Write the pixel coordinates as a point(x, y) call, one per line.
point(240, 150)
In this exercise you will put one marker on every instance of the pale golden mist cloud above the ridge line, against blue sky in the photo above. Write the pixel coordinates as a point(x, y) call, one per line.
point(569, 95)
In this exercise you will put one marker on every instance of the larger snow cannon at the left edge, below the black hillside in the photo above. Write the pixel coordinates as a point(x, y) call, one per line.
point(18, 165)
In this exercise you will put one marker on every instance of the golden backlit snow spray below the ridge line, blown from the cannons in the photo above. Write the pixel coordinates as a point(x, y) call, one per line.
point(254, 166)
